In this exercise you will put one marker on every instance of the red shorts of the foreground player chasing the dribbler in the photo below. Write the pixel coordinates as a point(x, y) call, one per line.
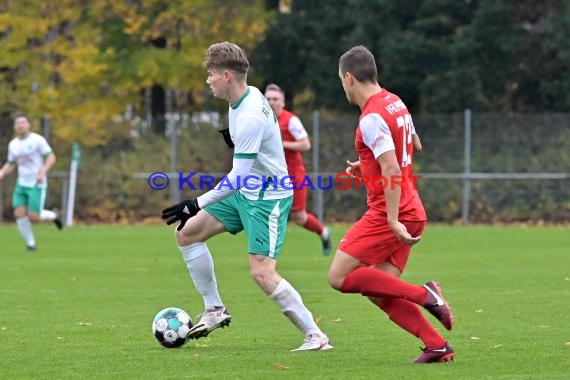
point(371, 240)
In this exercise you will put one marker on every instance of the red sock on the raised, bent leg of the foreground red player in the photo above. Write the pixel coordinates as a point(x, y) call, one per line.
point(376, 283)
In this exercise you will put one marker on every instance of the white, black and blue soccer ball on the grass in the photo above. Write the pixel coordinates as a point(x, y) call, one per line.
point(171, 326)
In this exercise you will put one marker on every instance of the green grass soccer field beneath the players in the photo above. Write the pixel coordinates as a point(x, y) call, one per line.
point(82, 306)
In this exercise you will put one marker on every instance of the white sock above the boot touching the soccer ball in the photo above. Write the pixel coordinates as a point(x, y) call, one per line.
point(201, 269)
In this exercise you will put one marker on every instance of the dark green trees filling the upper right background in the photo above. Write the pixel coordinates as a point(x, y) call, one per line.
point(439, 55)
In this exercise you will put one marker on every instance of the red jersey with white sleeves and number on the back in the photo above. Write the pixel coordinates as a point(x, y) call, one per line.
point(386, 124)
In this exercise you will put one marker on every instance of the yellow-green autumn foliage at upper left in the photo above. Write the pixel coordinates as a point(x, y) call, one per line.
point(81, 63)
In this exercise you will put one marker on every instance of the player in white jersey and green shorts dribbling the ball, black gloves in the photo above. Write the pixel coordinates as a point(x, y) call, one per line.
point(259, 209)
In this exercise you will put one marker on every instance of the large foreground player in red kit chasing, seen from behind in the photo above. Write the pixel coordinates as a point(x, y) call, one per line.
point(373, 253)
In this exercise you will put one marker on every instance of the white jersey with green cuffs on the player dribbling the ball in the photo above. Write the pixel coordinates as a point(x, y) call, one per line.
point(256, 135)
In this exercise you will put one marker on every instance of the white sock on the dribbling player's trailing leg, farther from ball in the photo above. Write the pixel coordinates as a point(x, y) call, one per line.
point(291, 304)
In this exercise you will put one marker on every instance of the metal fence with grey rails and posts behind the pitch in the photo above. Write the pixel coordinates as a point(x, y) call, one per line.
point(475, 167)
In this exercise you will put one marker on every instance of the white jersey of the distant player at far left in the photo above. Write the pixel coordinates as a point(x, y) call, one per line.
point(28, 154)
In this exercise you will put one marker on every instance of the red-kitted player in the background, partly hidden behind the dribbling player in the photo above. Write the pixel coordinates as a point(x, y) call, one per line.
point(295, 141)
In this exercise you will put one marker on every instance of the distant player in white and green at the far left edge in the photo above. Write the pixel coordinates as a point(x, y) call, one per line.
point(33, 157)
